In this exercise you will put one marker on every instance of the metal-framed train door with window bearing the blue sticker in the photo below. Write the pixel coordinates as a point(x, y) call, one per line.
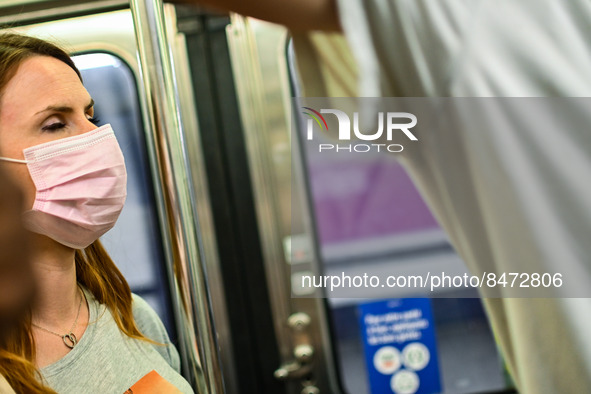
point(349, 215)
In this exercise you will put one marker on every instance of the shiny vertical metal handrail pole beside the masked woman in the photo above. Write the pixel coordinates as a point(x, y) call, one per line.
point(191, 297)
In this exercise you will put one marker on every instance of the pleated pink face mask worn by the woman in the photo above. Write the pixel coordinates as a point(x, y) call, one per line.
point(81, 186)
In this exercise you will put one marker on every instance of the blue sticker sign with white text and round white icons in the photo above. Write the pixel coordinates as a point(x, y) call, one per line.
point(400, 346)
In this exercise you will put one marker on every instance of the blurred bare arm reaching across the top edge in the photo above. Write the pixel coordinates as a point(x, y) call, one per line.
point(298, 15)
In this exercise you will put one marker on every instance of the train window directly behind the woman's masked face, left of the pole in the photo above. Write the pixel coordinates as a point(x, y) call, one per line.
point(134, 243)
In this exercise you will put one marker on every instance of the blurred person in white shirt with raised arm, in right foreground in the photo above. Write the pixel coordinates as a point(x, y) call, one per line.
point(515, 198)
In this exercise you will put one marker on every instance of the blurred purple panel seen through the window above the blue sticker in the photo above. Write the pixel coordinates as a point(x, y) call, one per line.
point(359, 196)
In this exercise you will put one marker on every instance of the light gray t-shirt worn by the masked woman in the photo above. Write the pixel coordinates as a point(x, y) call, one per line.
point(107, 361)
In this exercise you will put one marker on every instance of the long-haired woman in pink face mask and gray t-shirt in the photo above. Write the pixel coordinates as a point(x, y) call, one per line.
point(85, 332)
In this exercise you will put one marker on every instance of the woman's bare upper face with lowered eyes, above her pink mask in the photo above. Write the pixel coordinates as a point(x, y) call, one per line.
point(44, 101)
